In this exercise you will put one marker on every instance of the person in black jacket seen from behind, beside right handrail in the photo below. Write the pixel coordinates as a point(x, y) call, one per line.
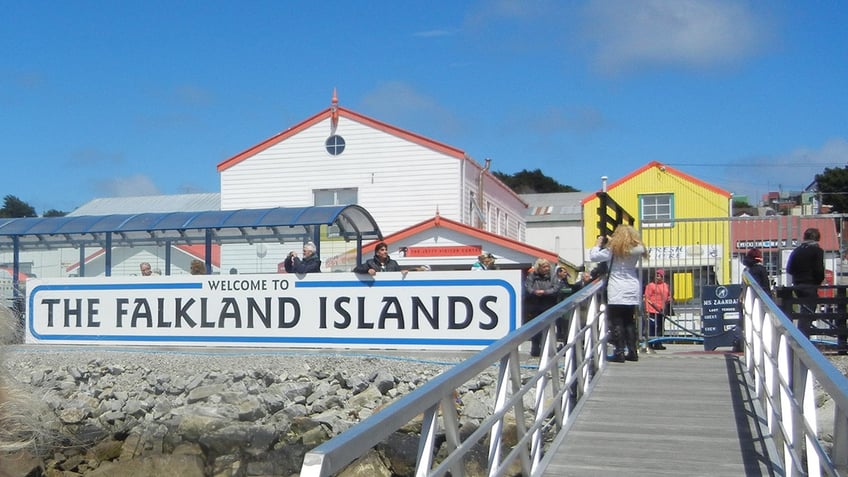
point(806, 266)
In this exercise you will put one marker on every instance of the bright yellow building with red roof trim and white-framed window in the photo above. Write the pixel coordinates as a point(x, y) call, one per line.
point(684, 222)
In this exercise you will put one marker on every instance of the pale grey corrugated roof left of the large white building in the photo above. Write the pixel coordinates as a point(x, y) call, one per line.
point(150, 203)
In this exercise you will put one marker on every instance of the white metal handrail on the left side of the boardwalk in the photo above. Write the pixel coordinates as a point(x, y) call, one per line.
point(565, 375)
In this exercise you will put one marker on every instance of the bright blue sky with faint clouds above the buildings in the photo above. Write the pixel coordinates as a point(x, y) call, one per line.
point(127, 98)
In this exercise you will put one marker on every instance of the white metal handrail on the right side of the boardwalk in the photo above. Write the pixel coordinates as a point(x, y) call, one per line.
point(784, 367)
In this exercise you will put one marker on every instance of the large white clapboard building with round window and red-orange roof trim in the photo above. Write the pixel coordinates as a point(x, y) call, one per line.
point(342, 157)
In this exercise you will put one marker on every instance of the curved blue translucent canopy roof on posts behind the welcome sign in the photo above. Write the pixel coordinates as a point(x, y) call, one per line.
point(220, 226)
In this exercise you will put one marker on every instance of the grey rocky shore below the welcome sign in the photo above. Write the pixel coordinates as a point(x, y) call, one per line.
point(106, 412)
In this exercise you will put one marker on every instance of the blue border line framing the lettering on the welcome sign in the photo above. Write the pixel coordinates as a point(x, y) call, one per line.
point(277, 339)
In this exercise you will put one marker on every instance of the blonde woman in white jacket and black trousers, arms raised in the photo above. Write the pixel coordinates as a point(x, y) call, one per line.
point(624, 290)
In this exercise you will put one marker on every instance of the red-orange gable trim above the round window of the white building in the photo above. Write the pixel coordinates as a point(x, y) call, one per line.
point(346, 113)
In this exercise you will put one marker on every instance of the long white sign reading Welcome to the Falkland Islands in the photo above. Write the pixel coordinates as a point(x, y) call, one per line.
point(415, 310)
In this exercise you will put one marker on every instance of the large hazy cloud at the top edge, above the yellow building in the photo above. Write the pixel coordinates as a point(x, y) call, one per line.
point(625, 34)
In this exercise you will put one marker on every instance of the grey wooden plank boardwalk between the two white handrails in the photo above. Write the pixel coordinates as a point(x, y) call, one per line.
point(680, 411)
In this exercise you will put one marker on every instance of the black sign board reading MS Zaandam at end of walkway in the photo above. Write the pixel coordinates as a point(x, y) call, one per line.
point(721, 312)
